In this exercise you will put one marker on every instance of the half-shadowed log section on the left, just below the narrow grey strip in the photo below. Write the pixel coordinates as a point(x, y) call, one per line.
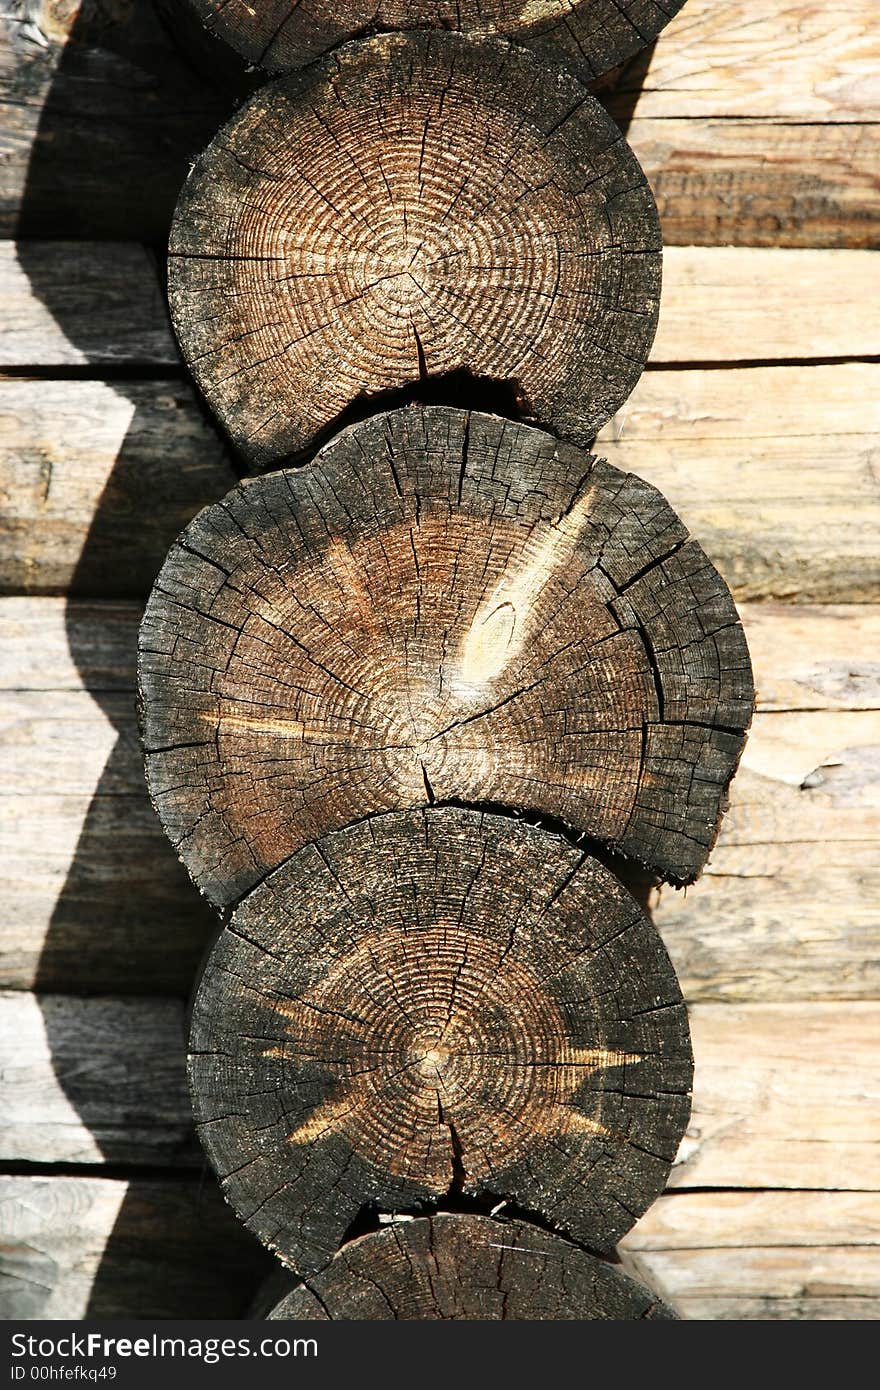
point(97, 480)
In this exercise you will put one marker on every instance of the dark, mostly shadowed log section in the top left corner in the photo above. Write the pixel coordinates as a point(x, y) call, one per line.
point(101, 119)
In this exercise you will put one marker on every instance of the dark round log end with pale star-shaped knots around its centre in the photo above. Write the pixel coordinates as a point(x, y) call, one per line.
point(432, 1003)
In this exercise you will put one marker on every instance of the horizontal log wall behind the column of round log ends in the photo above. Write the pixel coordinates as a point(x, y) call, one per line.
point(776, 942)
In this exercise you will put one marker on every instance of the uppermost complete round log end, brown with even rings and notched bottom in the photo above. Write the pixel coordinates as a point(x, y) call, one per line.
point(412, 208)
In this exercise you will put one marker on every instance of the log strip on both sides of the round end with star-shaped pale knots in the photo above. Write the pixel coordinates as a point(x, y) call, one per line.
point(102, 1081)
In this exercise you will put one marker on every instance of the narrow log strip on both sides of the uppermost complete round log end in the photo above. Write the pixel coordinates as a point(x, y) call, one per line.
point(99, 302)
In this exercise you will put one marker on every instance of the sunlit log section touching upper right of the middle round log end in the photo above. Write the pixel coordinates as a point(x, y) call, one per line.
point(772, 468)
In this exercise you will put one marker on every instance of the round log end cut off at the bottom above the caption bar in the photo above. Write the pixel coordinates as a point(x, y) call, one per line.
point(468, 1268)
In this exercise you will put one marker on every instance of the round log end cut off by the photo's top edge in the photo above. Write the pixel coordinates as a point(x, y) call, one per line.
point(593, 35)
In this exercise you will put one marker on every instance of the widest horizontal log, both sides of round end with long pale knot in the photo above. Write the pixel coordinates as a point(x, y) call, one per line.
point(98, 901)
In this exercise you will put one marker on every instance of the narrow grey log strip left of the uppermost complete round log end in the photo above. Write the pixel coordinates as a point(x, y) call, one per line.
point(83, 304)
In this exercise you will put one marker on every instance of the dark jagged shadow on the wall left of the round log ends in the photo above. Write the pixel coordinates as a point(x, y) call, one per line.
point(123, 115)
